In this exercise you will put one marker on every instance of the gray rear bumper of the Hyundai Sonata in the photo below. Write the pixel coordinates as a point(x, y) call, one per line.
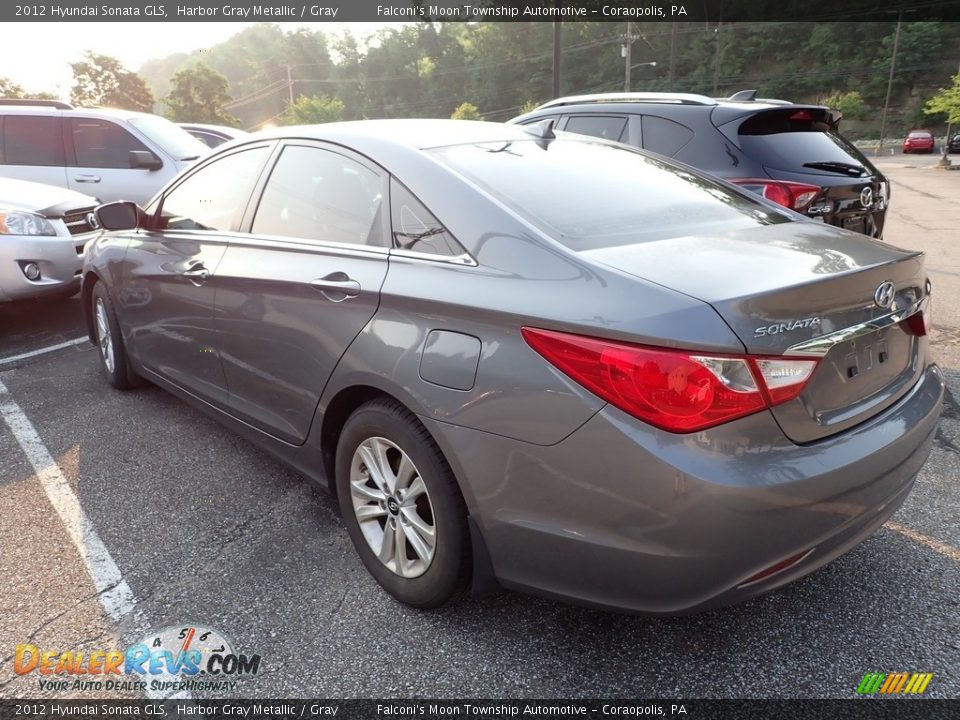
point(620, 515)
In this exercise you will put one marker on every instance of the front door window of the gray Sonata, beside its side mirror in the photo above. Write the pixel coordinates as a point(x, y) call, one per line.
point(213, 197)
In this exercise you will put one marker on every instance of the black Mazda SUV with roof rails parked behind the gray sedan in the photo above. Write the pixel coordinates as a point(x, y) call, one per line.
point(791, 154)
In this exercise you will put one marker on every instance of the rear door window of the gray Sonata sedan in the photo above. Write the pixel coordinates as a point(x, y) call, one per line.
point(316, 194)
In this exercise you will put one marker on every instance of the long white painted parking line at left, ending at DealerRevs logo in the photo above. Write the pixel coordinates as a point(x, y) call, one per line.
point(114, 593)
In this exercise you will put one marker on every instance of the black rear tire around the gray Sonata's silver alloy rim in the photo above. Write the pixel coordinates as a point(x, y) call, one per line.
point(447, 574)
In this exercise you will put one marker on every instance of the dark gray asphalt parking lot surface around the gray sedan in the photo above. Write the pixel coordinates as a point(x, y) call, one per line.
point(208, 531)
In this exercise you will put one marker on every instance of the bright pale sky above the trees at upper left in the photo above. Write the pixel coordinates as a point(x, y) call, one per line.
point(36, 56)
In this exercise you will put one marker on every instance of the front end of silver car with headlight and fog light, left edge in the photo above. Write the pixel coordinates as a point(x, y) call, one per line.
point(43, 230)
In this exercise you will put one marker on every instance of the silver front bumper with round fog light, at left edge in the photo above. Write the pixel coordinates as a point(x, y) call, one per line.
point(57, 258)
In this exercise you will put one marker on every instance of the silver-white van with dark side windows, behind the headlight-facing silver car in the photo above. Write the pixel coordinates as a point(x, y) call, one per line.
point(113, 154)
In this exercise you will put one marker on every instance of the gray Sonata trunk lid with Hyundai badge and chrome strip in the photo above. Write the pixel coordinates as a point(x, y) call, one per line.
point(806, 290)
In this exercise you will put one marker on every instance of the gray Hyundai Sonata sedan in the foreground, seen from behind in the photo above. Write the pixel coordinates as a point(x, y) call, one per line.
point(521, 358)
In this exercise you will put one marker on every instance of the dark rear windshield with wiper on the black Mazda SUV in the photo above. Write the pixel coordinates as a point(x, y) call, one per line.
point(798, 142)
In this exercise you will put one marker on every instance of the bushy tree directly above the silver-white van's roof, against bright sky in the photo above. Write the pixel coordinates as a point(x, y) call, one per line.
point(102, 80)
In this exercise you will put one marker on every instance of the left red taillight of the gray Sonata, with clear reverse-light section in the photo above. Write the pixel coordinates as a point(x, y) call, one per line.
point(676, 390)
